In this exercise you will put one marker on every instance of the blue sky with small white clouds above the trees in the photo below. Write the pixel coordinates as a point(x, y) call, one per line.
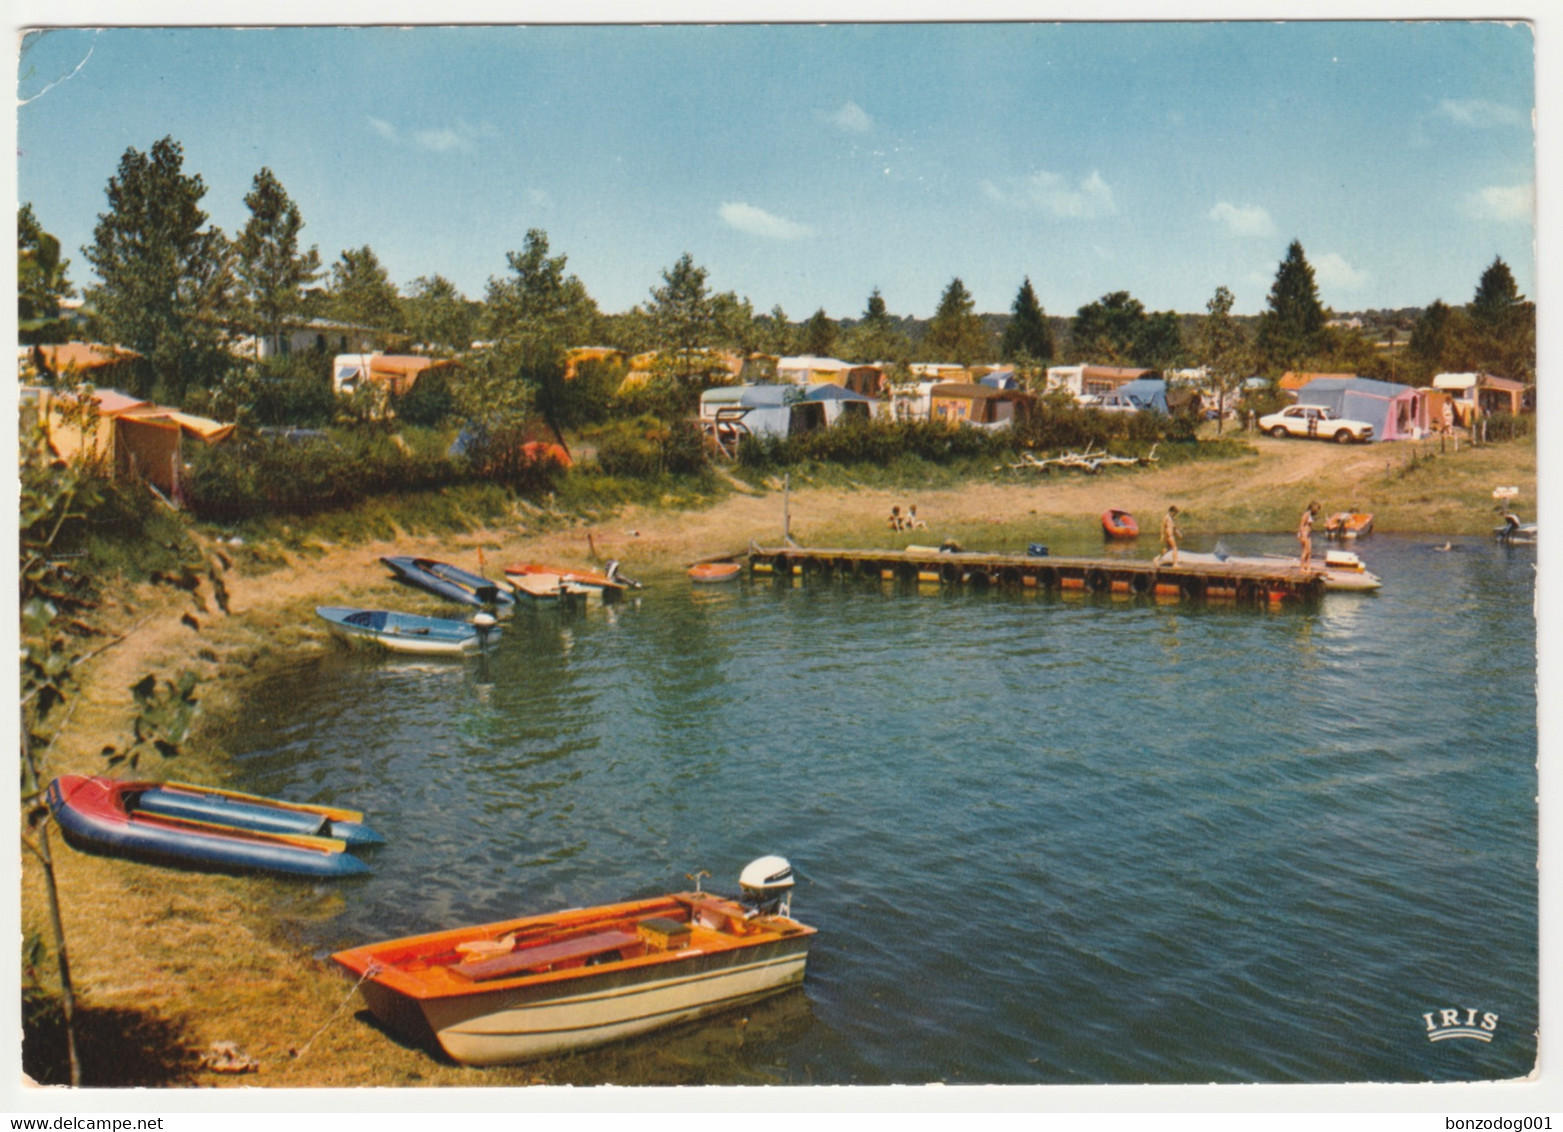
point(809, 165)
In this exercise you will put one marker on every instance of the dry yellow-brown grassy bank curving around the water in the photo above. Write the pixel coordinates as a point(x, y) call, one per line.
point(168, 962)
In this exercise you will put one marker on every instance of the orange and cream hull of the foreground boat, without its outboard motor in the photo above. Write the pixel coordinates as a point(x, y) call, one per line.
point(559, 1011)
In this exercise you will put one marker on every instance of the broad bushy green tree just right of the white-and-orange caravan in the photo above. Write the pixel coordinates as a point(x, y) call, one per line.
point(534, 317)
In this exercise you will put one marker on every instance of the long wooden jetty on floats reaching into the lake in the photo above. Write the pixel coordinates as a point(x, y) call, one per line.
point(1243, 584)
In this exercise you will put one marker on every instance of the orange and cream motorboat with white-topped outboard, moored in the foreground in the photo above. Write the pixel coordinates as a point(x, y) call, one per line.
point(557, 983)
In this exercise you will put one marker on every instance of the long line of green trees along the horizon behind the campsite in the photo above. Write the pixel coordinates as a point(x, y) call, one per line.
point(177, 292)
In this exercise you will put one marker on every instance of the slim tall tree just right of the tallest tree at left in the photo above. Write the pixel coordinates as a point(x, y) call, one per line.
point(273, 271)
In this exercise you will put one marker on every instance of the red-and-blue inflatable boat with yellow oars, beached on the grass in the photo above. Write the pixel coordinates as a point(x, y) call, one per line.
point(171, 823)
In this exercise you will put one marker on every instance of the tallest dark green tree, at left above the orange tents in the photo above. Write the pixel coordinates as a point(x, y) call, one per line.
point(165, 276)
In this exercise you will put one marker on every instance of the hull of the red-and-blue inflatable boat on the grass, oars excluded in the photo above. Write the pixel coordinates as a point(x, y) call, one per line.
point(104, 817)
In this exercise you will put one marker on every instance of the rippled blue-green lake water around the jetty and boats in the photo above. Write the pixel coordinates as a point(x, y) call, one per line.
point(1045, 840)
